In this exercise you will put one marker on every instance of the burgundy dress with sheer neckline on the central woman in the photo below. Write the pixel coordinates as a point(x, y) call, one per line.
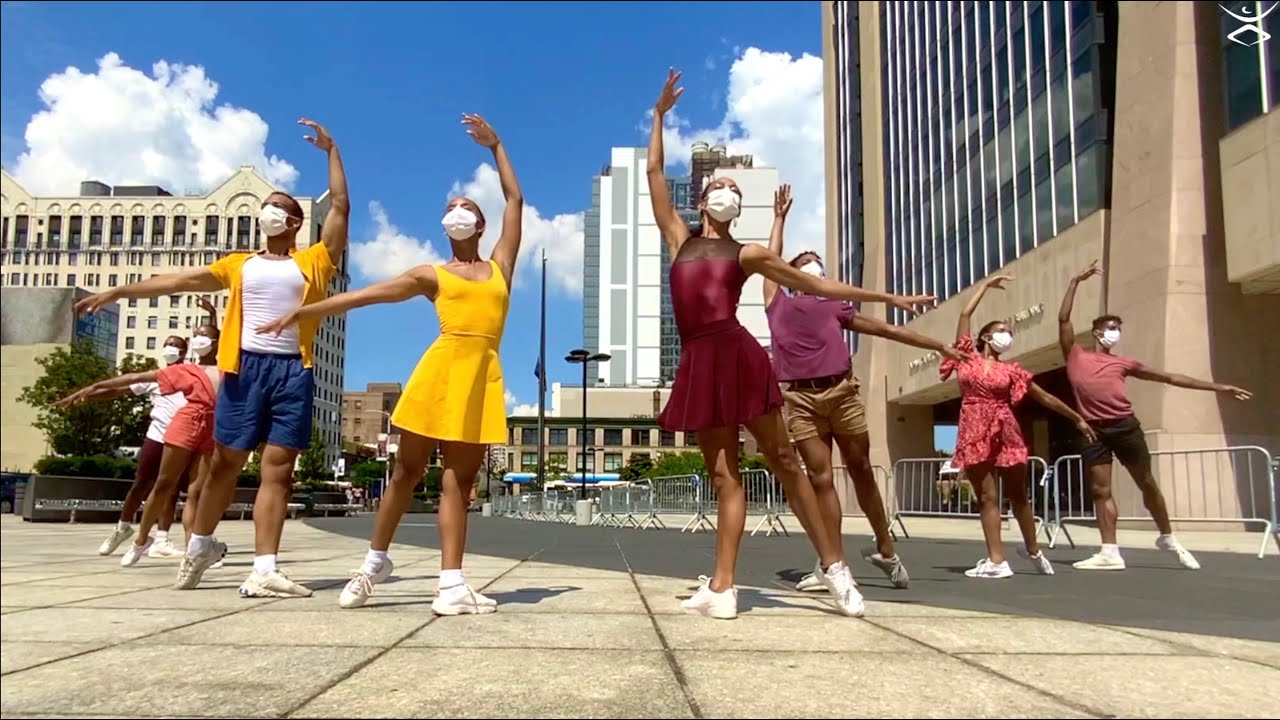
point(725, 377)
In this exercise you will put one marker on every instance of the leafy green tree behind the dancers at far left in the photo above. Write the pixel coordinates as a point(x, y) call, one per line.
point(89, 429)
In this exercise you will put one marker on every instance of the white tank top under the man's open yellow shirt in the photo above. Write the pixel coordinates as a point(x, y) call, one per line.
point(269, 290)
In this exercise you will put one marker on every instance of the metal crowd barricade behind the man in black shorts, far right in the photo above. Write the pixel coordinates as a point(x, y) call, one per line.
point(1217, 485)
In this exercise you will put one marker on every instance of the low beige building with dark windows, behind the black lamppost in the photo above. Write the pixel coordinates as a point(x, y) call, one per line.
point(621, 423)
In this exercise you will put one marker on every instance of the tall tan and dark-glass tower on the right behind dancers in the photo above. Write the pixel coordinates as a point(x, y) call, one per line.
point(970, 139)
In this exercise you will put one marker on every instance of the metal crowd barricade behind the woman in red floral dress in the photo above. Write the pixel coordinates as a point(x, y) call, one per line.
point(922, 490)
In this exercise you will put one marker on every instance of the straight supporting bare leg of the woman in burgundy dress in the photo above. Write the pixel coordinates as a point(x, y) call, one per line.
point(720, 453)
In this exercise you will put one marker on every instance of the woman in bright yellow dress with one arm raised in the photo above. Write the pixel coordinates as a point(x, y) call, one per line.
point(455, 397)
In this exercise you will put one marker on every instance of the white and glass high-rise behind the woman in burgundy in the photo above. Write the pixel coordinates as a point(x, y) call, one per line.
point(628, 308)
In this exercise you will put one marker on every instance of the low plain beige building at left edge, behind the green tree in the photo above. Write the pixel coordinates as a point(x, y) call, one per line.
point(35, 322)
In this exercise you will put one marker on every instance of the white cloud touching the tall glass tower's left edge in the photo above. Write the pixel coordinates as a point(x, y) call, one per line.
point(774, 112)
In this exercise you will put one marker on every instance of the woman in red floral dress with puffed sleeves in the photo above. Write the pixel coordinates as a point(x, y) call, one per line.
point(990, 443)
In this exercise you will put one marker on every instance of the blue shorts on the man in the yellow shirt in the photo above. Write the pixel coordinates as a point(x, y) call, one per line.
point(269, 400)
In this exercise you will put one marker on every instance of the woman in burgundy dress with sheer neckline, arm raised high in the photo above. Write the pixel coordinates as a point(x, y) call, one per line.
point(725, 377)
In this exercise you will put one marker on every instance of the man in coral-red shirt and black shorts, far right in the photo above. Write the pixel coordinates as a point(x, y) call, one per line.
point(1099, 380)
